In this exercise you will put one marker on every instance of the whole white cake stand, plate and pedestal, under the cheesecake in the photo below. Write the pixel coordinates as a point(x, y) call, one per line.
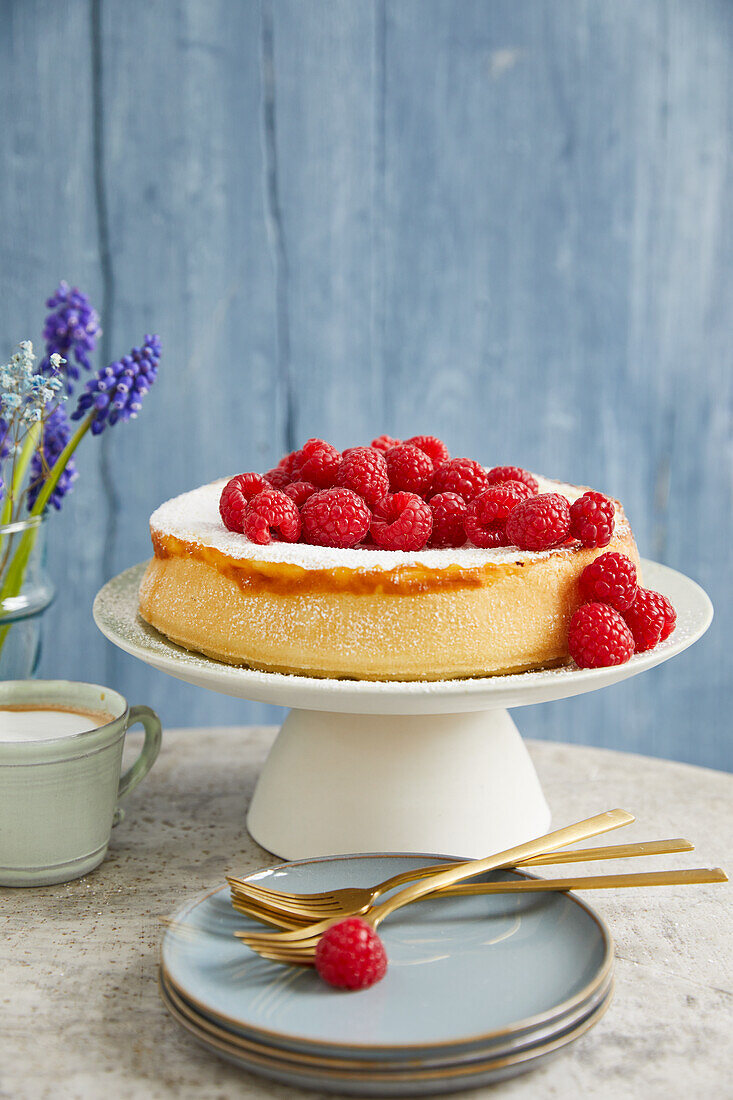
point(360, 766)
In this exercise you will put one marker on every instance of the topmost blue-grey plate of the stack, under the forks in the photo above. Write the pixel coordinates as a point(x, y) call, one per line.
point(464, 973)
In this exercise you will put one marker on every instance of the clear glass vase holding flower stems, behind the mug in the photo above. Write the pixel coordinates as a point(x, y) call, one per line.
point(26, 592)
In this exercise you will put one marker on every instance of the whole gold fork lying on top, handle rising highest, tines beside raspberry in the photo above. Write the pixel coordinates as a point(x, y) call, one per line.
point(300, 945)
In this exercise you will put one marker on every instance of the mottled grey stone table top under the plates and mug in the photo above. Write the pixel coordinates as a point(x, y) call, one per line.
point(80, 1011)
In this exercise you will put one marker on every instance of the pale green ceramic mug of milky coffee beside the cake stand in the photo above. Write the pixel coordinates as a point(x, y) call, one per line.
point(59, 796)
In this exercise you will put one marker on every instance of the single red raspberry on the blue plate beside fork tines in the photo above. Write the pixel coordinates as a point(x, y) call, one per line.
point(351, 955)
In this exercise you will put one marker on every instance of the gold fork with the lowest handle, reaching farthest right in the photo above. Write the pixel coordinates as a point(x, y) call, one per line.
point(686, 877)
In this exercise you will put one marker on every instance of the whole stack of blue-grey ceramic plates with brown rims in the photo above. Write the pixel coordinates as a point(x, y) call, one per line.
point(478, 989)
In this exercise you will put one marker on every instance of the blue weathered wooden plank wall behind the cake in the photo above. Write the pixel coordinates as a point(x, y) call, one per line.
point(508, 224)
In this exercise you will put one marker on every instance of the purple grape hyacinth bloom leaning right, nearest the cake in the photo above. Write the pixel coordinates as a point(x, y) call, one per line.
point(117, 391)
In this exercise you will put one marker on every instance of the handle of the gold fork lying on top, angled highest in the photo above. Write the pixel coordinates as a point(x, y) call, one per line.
point(572, 834)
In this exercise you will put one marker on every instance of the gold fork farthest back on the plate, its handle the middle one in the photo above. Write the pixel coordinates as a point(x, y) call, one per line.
point(351, 901)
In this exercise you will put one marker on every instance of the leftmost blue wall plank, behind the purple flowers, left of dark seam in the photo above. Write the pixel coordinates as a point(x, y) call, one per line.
point(49, 232)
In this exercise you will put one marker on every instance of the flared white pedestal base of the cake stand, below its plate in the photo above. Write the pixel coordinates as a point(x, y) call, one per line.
point(456, 784)
